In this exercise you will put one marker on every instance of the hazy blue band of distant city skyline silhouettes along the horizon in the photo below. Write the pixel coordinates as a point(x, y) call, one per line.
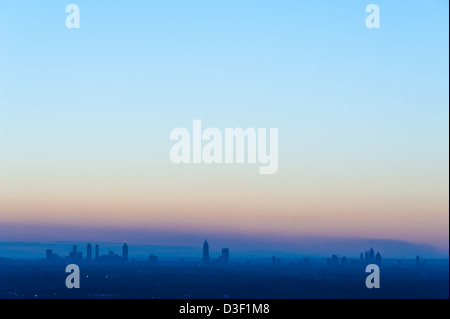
point(219, 254)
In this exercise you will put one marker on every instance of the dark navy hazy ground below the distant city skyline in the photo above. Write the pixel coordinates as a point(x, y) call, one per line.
point(189, 280)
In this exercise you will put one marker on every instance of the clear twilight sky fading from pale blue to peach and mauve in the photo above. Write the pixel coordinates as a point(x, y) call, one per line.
point(362, 114)
